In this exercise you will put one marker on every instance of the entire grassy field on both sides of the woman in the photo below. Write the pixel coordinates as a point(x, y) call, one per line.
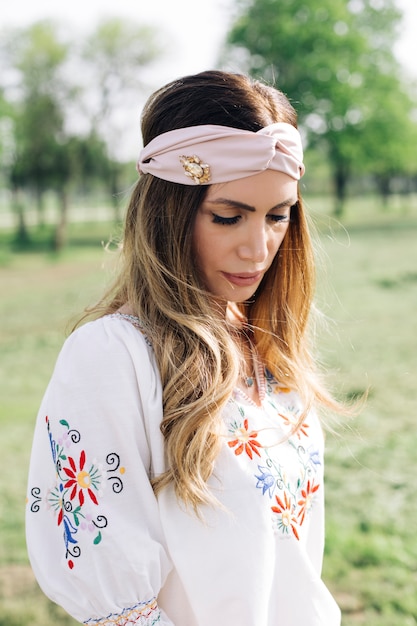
point(368, 292)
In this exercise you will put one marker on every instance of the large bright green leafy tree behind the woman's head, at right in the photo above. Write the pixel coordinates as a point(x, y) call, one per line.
point(332, 59)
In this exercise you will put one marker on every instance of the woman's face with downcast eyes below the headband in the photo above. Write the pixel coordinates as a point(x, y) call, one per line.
point(238, 231)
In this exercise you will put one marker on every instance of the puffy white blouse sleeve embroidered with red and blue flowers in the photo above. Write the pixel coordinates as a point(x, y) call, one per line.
point(93, 530)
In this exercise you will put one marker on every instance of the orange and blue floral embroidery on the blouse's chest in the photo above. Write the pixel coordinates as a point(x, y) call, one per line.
point(287, 468)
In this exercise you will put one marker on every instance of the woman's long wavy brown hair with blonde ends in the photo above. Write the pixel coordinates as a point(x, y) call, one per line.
point(197, 359)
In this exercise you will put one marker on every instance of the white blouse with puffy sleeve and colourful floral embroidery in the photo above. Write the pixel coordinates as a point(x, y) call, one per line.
point(110, 552)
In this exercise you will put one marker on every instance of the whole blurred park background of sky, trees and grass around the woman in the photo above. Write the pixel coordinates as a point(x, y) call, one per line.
point(73, 80)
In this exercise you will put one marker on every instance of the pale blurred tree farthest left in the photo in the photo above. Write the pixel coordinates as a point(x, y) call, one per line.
point(37, 56)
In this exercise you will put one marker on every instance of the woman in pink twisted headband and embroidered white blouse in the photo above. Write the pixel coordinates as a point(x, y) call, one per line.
point(177, 466)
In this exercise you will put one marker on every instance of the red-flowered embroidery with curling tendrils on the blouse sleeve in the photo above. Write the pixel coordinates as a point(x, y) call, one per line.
point(79, 486)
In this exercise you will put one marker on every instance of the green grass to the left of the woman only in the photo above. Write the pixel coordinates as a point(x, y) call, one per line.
point(42, 294)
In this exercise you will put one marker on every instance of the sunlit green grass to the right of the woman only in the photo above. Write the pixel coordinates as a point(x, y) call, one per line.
point(369, 290)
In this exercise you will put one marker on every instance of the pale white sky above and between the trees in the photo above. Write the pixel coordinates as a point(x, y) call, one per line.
point(192, 31)
